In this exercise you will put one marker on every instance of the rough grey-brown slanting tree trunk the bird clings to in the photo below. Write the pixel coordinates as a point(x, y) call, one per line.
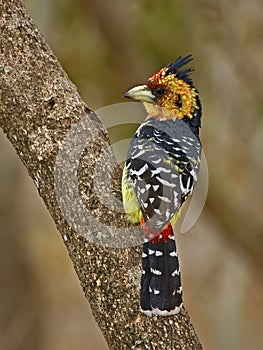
point(38, 106)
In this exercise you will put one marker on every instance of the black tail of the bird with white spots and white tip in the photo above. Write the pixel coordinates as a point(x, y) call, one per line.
point(161, 290)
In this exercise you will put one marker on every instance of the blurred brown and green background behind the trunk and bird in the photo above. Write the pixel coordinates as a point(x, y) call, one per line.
point(106, 48)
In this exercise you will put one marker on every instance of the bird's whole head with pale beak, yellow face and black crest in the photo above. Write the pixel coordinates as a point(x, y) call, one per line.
point(169, 93)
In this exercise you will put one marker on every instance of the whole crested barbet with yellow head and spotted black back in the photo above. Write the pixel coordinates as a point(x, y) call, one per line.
point(160, 173)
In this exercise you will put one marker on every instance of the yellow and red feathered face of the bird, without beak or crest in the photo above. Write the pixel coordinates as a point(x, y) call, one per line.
point(173, 96)
